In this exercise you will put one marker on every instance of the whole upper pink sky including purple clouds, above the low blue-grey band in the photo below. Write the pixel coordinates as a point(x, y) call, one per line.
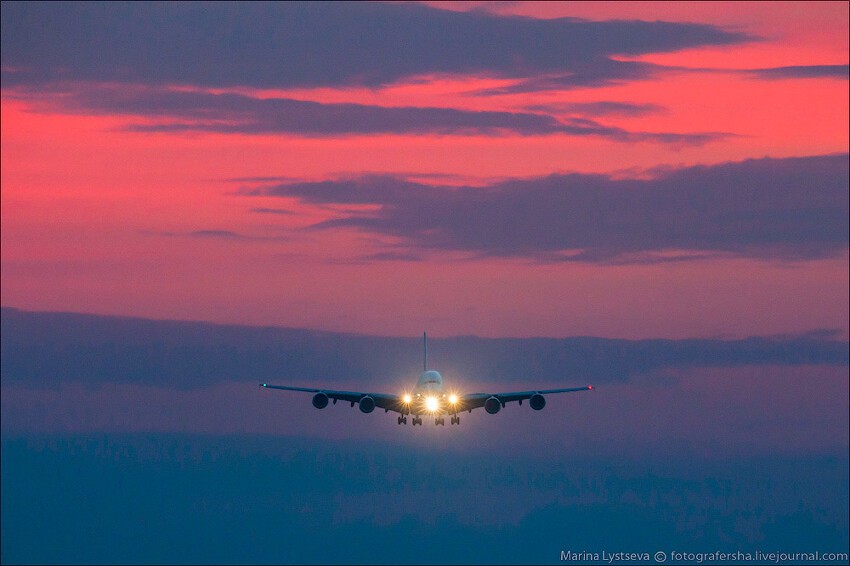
point(631, 170)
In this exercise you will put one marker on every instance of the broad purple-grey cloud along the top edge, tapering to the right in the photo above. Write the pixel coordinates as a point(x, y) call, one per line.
point(319, 44)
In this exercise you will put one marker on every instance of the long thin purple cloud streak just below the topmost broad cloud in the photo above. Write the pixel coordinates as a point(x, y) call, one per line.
point(168, 110)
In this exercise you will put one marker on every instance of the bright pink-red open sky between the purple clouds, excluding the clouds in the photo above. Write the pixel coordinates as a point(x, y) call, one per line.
point(98, 219)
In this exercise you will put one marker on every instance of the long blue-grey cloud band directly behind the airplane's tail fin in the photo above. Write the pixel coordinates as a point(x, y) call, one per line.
point(43, 349)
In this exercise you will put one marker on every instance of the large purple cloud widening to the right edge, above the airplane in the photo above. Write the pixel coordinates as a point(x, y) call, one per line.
point(787, 209)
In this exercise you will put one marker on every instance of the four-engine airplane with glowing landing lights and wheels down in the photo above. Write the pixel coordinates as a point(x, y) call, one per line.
point(428, 397)
